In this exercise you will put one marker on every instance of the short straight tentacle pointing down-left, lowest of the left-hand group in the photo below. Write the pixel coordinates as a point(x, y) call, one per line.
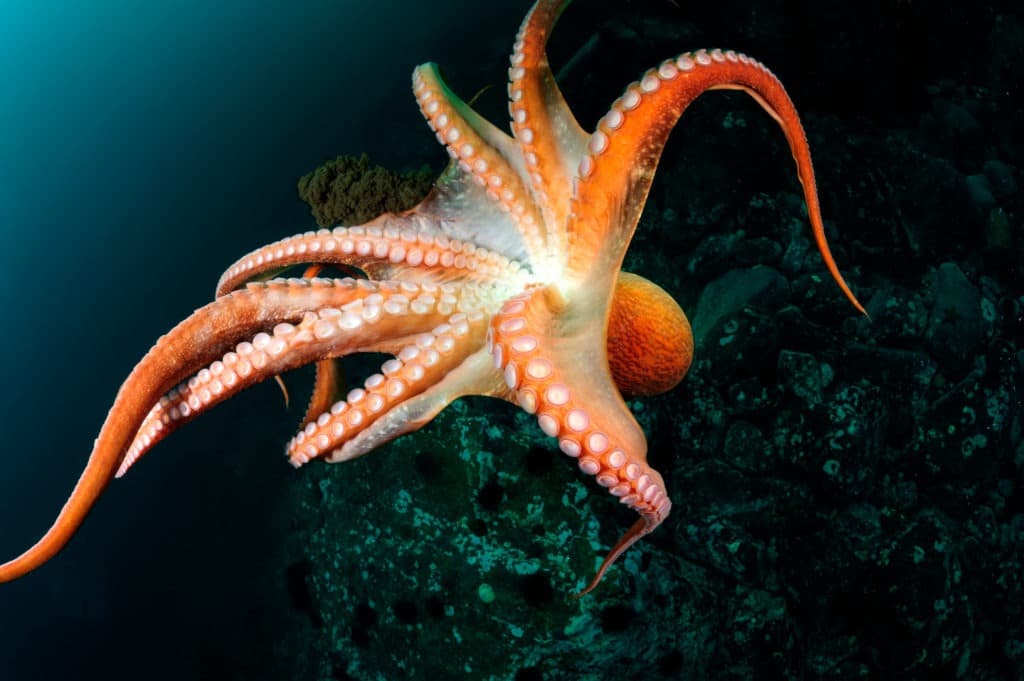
point(375, 414)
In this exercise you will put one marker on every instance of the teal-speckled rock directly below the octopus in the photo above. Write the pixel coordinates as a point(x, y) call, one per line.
point(455, 544)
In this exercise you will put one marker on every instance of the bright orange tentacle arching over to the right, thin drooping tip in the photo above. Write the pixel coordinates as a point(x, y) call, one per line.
point(616, 175)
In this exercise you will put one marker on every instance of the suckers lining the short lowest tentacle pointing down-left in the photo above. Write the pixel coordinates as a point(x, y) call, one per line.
point(416, 367)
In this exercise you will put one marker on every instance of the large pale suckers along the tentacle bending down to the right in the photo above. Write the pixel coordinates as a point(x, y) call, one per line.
point(538, 389)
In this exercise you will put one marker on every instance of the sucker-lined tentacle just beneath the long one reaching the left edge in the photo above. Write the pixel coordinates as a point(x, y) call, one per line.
point(379, 317)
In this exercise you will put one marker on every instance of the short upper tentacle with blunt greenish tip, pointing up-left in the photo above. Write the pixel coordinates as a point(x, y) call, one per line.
point(482, 151)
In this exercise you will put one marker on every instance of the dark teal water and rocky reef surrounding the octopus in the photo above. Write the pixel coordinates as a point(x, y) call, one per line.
point(848, 493)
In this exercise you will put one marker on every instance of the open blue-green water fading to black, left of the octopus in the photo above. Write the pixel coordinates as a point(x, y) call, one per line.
point(144, 147)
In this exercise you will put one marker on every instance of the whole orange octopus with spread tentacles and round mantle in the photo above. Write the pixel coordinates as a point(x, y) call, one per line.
point(506, 281)
